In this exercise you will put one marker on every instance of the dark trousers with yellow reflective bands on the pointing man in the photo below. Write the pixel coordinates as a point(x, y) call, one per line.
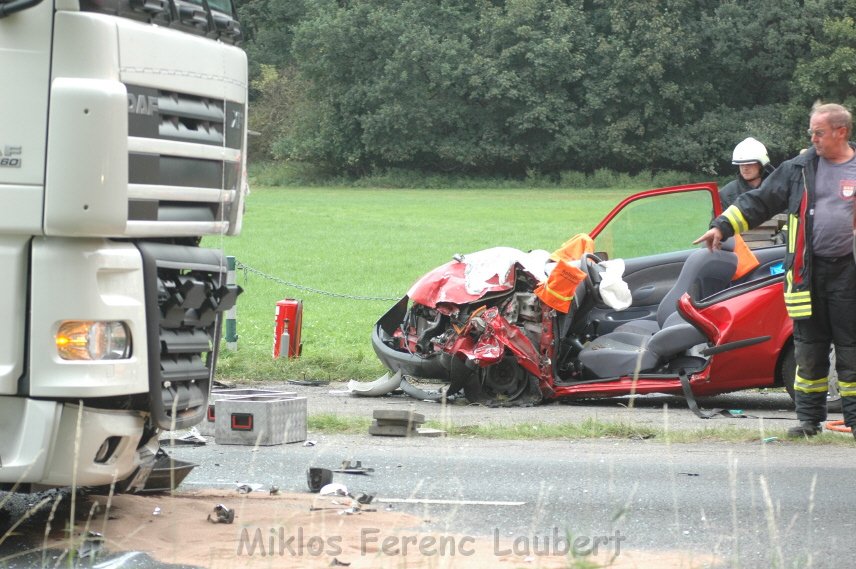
point(832, 323)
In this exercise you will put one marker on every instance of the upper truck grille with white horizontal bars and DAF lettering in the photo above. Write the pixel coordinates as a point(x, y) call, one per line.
point(184, 163)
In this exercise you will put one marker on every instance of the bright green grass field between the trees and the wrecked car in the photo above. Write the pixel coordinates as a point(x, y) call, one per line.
point(372, 242)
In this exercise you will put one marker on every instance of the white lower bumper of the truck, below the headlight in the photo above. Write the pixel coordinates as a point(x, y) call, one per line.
point(56, 444)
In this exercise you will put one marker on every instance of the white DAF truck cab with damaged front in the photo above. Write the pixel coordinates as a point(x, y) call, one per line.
point(122, 137)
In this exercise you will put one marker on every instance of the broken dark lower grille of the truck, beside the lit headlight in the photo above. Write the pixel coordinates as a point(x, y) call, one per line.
point(186, 295)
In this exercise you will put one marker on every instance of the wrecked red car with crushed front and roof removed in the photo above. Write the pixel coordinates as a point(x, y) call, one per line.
point(480, 322)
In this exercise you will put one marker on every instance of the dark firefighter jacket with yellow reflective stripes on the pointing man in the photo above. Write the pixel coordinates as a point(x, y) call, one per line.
point(791, 188)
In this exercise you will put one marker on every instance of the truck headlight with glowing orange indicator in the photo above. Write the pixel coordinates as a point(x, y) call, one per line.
point(90, 340)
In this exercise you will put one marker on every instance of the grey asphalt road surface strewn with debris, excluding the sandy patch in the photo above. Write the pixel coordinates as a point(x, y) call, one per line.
point(750, 504)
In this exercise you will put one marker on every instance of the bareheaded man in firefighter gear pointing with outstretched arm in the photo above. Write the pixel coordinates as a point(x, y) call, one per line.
point(816, 188)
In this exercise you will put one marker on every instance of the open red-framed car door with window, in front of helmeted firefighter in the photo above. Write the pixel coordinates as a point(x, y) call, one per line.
point(652, 231)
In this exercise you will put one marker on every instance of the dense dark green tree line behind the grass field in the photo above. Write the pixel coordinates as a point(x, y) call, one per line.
point(521, 86)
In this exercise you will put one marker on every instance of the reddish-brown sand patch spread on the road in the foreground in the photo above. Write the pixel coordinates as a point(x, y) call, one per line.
point(310, 531)
